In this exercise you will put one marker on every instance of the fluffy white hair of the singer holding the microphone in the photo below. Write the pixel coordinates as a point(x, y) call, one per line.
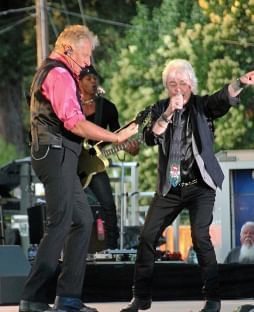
point(185, 67)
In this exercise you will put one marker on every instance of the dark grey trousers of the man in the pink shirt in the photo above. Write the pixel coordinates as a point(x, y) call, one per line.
point(69, 225)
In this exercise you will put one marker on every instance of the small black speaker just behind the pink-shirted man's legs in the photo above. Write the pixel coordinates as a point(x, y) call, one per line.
point(36, 222)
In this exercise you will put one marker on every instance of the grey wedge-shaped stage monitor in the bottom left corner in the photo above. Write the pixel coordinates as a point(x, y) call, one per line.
point(14, 268)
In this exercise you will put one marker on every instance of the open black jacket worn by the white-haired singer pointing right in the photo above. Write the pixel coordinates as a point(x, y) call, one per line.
point(202, 109)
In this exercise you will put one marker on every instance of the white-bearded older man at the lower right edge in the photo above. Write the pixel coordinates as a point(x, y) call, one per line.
point(245, 252)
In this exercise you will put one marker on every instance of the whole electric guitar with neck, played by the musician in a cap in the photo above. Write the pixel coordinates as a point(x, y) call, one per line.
point(93, 159)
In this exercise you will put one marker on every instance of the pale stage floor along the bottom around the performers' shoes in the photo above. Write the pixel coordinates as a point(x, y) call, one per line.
point(161, 306)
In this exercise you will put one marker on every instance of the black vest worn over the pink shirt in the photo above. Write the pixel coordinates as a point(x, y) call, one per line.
point(46, 128)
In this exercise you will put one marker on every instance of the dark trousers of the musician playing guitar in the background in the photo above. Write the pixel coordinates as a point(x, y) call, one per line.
point(100, 186)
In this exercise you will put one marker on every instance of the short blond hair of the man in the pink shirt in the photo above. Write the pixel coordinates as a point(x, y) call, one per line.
point(73, 34)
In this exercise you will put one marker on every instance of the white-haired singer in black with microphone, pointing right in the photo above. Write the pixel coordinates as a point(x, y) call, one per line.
point(188, 175)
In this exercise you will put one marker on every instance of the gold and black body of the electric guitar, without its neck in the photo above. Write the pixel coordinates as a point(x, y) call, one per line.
point(91, 161)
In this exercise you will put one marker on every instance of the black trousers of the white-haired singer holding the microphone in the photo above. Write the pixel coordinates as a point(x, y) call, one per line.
point(199, 200)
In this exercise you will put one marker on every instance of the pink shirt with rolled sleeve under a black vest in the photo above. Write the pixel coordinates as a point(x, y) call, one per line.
point(60, 89)
